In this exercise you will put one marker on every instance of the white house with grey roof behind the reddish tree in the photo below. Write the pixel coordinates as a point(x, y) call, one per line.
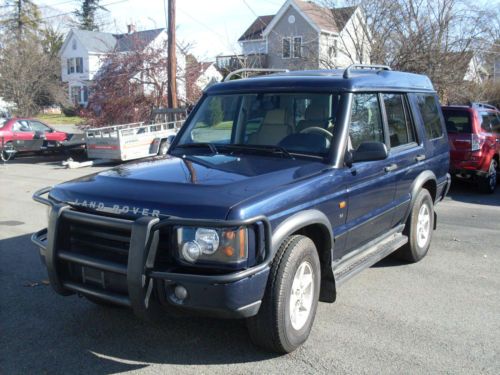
point(83, 54)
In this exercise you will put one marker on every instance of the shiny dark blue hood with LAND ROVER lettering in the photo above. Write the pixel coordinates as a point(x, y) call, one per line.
point(204, 187)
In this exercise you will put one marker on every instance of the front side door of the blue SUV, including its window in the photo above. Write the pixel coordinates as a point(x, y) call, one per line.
point(372, 184)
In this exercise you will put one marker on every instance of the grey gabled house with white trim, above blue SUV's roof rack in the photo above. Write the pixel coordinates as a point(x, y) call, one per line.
point(304, 35)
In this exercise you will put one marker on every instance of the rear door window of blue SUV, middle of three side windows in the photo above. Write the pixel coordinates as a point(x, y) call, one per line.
point(400, 127)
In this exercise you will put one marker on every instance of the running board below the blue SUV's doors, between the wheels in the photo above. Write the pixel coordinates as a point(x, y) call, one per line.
point(368, 255)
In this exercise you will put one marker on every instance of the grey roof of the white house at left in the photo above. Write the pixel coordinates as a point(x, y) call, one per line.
point(99, 42)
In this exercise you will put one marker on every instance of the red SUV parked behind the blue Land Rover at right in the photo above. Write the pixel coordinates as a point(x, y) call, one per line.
point(474, 136)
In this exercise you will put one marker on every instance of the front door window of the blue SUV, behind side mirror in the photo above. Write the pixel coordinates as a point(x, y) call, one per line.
point(366, 122)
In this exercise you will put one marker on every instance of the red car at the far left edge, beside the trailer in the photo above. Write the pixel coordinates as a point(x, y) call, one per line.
point(23, 135)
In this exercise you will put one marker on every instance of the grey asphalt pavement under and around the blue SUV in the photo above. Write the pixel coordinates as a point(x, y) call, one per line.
point(441, 315)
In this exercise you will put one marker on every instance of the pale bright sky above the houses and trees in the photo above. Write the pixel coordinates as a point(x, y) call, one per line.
point(211, 27)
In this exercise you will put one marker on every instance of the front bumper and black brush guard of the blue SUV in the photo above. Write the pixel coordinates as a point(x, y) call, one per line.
point(139, 282)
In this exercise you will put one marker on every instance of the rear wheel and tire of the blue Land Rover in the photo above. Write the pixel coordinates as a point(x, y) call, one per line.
point(418, 228)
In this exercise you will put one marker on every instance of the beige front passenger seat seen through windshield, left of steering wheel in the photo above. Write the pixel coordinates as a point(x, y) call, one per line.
point(272, 130)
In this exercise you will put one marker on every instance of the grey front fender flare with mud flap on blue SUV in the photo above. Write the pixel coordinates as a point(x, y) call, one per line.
point(301, 220)
